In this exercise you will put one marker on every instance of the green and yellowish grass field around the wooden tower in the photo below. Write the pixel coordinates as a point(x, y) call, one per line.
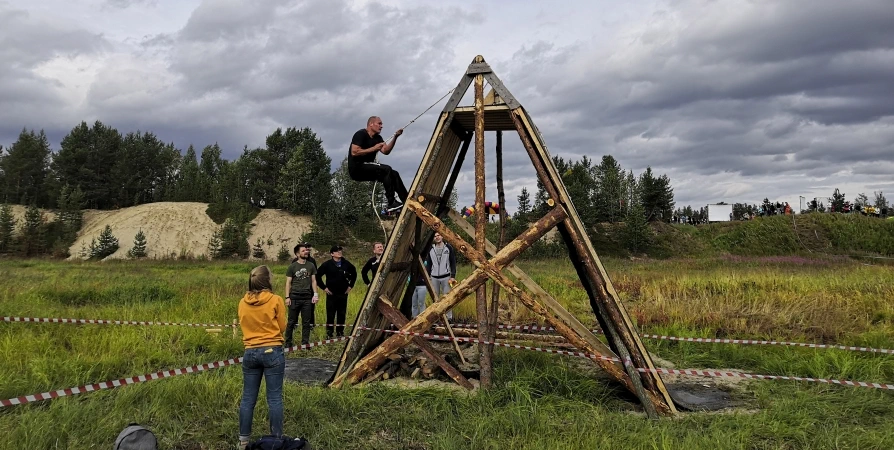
point(538, 401)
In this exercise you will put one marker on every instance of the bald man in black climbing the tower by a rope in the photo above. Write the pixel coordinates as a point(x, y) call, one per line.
point(362, 165)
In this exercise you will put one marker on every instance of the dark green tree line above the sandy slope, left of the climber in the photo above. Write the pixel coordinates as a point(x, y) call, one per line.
point(98, 167)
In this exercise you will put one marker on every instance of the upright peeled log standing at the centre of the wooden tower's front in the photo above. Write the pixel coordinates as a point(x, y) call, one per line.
point(480, 226)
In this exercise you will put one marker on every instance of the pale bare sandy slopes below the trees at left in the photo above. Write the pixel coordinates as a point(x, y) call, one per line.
point(175, 229)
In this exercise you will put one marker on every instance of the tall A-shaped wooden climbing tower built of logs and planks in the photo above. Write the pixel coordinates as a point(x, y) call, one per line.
point(427, 205)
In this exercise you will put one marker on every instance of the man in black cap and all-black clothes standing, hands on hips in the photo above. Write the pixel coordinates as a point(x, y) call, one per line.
point(340, 276)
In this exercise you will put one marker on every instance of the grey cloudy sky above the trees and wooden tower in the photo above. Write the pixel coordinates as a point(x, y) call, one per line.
point(734, 100)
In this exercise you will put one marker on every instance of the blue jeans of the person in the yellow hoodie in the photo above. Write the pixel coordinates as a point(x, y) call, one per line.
point(268, 363)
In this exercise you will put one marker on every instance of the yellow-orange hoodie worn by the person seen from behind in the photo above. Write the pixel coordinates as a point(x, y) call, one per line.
point(262, 317)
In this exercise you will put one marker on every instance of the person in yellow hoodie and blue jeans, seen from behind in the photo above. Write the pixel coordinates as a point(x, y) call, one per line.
point(262, 316)
